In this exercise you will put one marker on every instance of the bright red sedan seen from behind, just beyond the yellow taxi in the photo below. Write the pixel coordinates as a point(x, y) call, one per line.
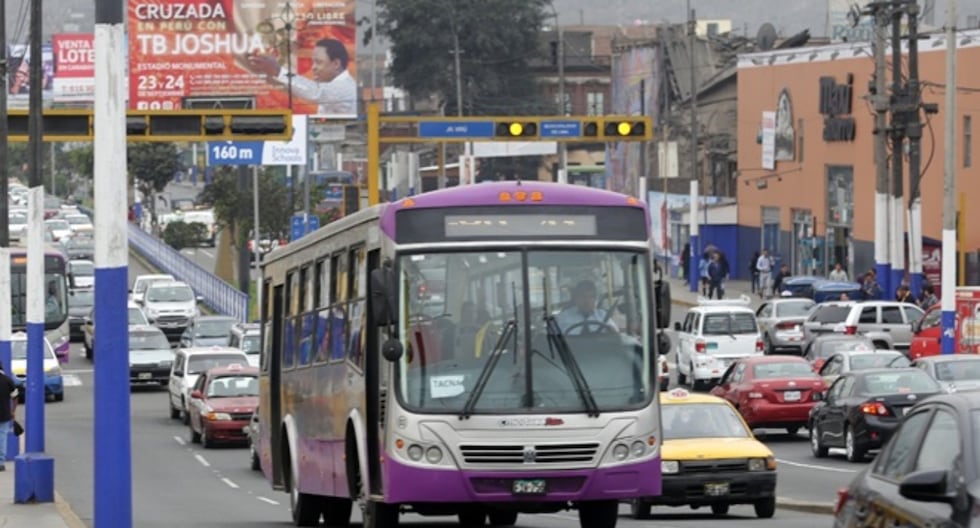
point(771, 391)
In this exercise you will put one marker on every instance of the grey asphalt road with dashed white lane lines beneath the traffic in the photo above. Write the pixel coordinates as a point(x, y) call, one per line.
point(176, 483)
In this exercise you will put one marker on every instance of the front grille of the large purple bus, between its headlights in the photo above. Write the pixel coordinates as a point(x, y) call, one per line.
point(528, 454)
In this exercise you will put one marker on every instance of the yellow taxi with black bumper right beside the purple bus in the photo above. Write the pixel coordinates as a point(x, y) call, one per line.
point(710, 458)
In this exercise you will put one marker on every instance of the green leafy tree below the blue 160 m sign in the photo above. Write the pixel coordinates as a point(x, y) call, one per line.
point(233, 207)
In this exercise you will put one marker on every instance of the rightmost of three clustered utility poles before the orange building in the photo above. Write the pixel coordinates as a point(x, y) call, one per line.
point(914, 133)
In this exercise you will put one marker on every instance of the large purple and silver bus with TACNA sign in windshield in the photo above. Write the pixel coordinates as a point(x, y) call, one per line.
point(478, 351)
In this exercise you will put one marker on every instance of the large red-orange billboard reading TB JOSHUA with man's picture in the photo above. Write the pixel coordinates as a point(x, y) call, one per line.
point(270, 54)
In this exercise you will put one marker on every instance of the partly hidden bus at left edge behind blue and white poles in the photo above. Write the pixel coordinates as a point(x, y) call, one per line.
point(56, 297)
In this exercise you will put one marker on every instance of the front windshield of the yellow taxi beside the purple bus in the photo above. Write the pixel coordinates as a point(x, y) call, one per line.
point(702, 420)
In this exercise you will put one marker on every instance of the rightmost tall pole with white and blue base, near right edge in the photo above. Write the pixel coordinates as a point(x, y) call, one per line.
point(949, 191)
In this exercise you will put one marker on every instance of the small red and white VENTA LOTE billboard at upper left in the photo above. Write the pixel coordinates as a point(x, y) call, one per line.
point(74, 67)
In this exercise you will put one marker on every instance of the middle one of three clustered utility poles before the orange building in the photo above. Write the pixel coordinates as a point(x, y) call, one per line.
point(897, 220)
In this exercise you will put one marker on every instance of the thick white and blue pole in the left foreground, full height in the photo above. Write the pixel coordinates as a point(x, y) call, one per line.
point(113, 447)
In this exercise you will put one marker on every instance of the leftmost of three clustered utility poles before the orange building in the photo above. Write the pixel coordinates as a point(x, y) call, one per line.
point(881, 103)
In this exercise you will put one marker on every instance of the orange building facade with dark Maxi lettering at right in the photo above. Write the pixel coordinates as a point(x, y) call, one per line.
point(806, 169)
